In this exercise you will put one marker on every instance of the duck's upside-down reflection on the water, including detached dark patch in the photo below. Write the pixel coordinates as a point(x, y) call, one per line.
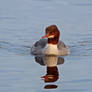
point(52, 74)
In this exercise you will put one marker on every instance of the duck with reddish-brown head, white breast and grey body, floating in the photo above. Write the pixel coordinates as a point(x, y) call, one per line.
point(52, 45)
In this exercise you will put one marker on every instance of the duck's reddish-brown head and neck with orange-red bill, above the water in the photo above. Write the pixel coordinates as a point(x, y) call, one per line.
point(52, 33)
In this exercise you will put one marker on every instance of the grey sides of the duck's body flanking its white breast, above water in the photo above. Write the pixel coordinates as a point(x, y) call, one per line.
point(37, 48)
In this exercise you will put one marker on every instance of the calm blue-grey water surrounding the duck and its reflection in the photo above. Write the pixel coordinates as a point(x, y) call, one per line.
point(22, 22)
